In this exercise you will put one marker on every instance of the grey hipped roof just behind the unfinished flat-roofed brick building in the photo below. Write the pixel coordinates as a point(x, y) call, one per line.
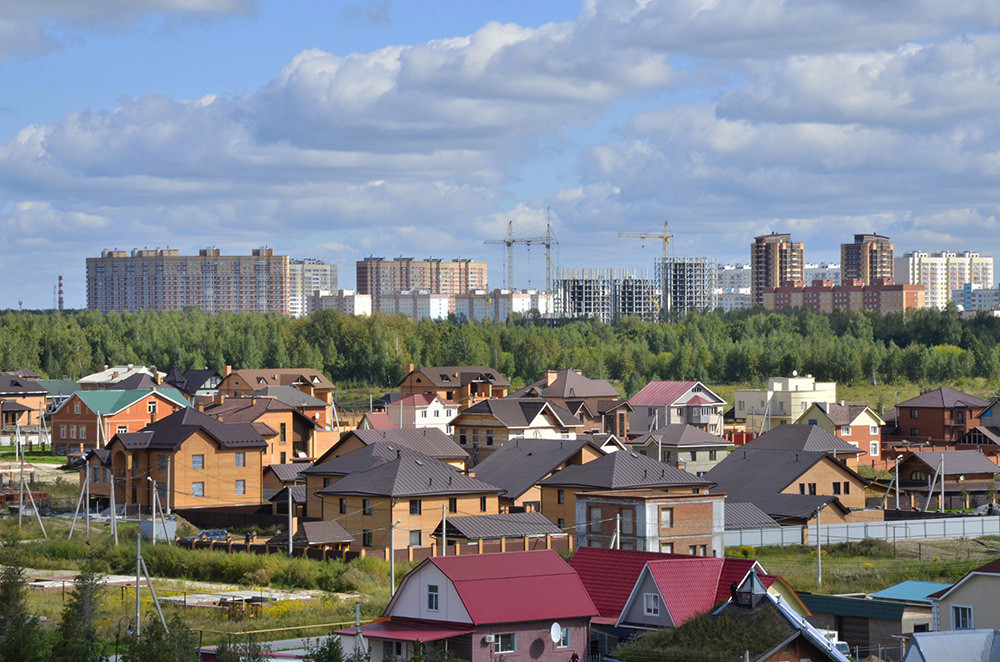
point(623, 470)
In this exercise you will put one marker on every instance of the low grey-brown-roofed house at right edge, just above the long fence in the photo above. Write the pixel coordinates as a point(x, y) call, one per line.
point(968, 479)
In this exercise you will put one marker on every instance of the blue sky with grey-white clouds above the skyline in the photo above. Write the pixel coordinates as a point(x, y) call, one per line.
point(339, 130)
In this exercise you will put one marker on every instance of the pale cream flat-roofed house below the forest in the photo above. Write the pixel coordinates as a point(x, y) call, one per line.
point(782, 402)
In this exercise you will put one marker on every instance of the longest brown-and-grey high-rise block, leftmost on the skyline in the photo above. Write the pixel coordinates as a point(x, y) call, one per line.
point(166, 280)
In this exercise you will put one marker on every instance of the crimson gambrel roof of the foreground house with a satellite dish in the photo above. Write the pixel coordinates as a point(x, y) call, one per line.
point(513, 587)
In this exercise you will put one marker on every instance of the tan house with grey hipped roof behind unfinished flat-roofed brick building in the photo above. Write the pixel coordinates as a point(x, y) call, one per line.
point(613, 472)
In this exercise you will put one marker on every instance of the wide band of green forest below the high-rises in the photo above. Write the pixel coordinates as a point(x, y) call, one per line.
point(926, 346)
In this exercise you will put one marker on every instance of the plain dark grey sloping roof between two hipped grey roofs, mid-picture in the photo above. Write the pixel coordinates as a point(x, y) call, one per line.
point(520, 463)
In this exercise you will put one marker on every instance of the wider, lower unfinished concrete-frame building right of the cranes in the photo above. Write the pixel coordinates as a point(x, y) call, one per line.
point(607, 294)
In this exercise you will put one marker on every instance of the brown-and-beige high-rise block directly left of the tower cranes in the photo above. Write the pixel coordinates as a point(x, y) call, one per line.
point(380, 277)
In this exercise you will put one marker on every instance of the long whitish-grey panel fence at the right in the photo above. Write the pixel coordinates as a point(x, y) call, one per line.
point(917, 529)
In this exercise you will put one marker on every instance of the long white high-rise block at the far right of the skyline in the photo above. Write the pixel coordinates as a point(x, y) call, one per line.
point(942, 273)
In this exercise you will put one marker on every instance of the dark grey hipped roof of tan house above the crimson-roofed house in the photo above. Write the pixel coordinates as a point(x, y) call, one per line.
point(409, 476)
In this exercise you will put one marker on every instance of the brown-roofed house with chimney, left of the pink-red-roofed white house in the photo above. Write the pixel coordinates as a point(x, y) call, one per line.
point(594, 401)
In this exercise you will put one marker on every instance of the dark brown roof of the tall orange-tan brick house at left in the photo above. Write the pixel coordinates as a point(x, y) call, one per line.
point(170, 432)
